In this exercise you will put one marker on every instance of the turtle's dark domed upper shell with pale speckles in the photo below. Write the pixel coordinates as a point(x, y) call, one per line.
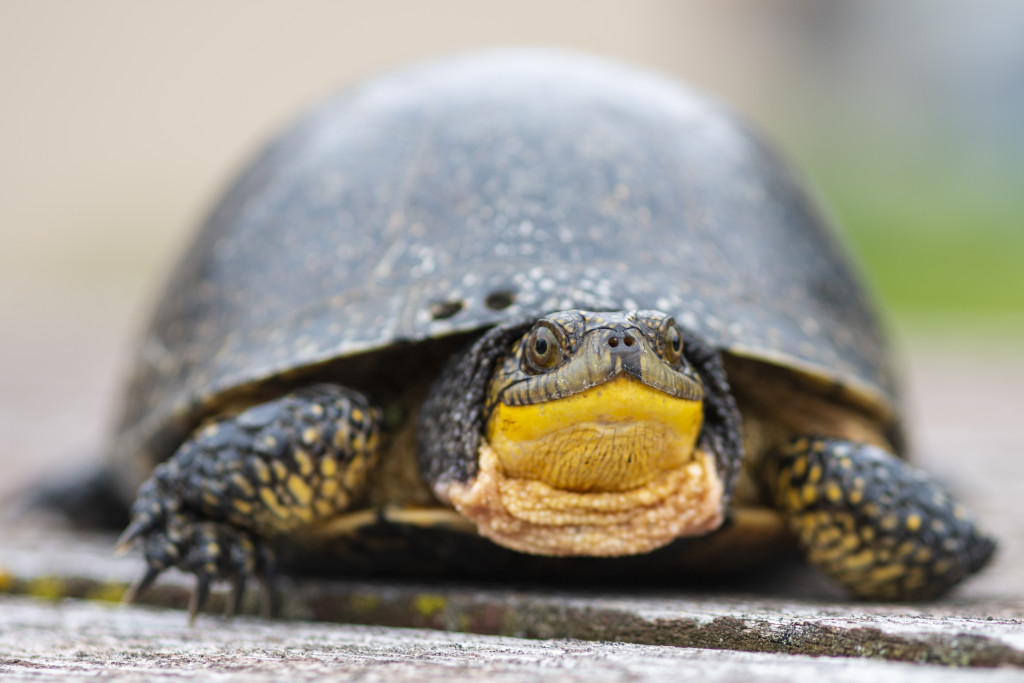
point(447, 197)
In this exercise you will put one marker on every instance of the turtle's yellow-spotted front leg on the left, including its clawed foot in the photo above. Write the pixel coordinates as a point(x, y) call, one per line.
point(240, 482)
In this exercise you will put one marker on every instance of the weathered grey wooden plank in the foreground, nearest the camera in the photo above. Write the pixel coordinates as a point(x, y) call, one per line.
point(89, 639)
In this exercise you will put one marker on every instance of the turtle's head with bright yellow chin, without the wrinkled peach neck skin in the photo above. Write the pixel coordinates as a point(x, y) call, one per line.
point(595, 403)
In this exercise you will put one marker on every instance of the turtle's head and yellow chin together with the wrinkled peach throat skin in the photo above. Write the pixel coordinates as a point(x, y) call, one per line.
point(591, 431)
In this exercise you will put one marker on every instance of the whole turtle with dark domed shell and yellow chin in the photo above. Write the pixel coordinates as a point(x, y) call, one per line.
point(529, 310)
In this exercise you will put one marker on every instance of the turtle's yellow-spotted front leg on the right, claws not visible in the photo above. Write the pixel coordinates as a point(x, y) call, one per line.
point(882, 529)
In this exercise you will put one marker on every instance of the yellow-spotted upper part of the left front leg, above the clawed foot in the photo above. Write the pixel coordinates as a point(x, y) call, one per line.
point(265, 471)
